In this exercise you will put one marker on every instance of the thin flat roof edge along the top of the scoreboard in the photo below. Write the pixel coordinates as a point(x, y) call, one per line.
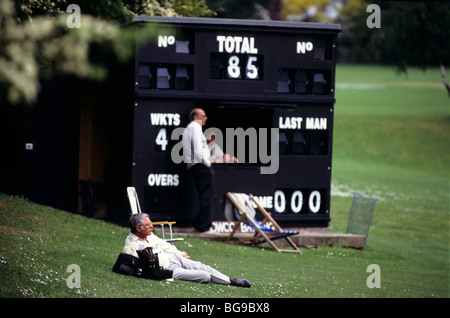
point(239, 22)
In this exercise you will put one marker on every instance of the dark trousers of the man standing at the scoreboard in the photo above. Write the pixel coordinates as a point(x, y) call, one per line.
point(204, 180)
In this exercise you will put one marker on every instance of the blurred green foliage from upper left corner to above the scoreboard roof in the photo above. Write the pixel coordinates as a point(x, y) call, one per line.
point(36, 41)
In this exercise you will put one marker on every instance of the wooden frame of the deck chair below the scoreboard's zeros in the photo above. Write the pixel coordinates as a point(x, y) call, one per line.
point(260, 236)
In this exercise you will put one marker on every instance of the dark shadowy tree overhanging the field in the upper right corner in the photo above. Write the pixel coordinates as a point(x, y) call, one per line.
point(412, 34)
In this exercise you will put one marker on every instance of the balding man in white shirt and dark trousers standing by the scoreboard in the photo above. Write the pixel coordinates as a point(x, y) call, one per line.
point(197, 156)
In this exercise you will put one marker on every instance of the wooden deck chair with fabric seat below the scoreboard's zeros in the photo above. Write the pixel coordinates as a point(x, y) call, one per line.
point(238, 208)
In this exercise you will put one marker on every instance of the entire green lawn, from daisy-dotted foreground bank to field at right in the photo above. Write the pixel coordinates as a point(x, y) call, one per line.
point(391, 140)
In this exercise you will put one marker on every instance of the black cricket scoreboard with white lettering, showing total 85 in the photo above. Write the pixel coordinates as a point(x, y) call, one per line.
point(269, 83)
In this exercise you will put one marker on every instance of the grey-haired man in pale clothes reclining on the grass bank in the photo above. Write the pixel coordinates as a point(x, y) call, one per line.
point(170, 257)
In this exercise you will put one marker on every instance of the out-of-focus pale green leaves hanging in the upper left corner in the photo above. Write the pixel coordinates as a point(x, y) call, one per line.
point(35, 45)
